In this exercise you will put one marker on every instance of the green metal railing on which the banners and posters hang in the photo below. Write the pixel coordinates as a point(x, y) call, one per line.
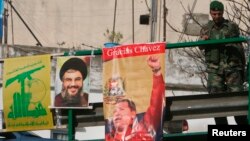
point(168, 46)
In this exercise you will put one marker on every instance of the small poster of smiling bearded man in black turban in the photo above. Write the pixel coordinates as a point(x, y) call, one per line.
point(72, 82)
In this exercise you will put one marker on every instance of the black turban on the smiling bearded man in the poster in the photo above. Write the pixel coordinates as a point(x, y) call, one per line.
point(76, 64)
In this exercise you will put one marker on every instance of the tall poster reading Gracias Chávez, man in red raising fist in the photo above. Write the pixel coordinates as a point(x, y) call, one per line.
point(134, 91)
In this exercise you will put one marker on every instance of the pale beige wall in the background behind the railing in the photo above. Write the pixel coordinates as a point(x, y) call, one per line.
point(76, 22)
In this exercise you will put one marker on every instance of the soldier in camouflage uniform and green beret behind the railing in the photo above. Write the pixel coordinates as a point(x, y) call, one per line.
point(225, 62)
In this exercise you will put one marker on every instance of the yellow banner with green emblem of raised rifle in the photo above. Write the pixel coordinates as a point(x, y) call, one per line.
point(26, 93)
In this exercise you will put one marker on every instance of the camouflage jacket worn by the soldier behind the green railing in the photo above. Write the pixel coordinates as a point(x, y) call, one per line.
point(232, 54)
